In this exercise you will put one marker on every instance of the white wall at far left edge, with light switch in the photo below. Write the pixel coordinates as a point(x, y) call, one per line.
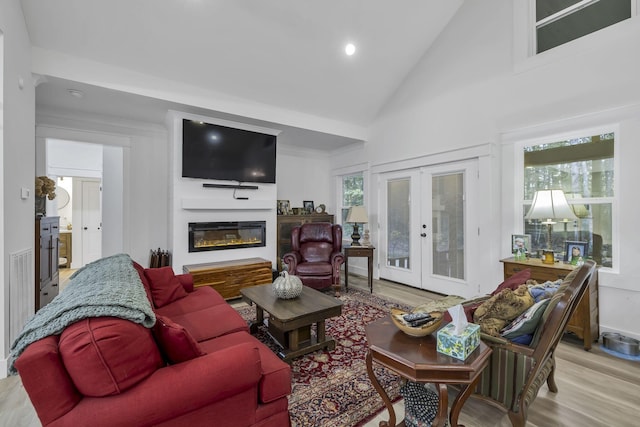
point(17, 153)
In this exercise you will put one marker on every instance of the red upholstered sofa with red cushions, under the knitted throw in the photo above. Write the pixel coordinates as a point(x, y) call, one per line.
point(197, 366)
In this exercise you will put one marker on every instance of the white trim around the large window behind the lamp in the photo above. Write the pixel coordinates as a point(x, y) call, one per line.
point(542, 138)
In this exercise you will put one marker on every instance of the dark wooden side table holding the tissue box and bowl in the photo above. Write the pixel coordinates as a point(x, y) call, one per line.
point(418, 360)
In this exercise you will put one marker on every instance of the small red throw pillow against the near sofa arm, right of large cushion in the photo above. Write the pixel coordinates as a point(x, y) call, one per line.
point(175, 341)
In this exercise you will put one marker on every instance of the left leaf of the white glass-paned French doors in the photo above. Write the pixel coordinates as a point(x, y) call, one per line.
point(399, 251)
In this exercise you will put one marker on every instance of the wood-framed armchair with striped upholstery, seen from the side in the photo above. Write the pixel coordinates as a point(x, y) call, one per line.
point(516, 372)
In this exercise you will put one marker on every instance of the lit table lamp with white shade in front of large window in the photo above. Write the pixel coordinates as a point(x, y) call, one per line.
point(549, 206)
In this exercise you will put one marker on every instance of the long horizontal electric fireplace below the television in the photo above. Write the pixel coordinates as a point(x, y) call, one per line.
point(214, 236)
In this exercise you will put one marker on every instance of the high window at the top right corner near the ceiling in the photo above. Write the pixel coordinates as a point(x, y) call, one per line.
point(561, 21)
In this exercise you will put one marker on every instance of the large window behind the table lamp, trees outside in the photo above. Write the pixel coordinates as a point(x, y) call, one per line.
point(584, 169)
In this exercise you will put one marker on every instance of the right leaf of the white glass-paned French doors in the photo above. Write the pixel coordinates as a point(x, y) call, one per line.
point(449, 232)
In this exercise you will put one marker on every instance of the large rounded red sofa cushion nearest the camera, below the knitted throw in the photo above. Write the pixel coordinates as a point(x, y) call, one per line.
point(107, 355)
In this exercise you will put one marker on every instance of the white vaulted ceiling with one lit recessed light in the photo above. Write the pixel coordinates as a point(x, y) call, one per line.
point(288, 54)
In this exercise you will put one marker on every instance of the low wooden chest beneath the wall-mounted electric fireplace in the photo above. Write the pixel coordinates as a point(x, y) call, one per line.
point(228, 277)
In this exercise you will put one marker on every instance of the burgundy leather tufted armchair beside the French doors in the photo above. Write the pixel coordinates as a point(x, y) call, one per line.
point(316, 254)
